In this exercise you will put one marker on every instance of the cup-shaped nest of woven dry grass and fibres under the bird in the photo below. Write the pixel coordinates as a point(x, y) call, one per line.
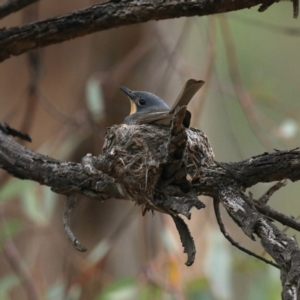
point(136, 156)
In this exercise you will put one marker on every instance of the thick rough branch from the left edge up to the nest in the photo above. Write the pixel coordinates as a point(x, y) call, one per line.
point(63, 177)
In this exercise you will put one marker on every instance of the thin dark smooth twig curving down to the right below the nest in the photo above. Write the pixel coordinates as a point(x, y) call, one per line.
point(229, 238)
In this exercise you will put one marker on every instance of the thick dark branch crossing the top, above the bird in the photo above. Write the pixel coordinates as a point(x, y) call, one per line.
point(111, 14)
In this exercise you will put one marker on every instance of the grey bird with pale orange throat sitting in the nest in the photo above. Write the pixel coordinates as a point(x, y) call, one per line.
point(147, 108)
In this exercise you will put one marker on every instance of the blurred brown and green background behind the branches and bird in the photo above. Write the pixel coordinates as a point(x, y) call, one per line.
point(66, 95)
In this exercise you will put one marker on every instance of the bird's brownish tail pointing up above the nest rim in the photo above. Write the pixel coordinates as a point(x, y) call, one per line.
point(190, 88)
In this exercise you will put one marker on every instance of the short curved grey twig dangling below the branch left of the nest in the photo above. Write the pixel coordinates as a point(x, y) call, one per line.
point(70, 204)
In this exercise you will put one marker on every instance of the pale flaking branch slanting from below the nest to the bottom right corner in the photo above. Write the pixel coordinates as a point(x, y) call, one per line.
point(284, 250)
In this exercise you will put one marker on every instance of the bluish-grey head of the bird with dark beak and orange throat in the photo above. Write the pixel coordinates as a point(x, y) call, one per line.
point(143, 101)
